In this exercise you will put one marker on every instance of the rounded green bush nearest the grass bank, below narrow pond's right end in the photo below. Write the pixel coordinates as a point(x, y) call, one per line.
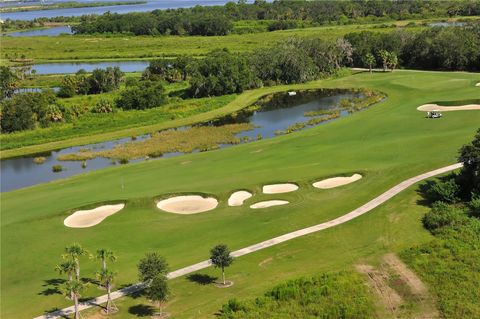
point(146, 95)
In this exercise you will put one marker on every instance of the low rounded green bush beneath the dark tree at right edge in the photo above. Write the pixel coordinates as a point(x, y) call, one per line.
point(442, 215)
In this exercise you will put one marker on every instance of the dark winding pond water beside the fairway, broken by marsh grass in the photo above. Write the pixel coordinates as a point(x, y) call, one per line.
point(22, 172)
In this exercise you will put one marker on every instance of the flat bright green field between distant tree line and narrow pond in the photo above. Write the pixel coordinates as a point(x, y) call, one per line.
point(89, 47)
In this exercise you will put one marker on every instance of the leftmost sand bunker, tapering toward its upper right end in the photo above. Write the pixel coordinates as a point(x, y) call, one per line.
point(91, 217)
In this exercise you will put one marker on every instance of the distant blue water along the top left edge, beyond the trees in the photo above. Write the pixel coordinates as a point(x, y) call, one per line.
point(150, 5)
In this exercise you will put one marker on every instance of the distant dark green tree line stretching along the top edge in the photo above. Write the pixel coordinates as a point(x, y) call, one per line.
point(218, 20)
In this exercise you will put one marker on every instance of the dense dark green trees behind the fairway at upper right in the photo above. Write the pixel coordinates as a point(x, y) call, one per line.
point(440, 48)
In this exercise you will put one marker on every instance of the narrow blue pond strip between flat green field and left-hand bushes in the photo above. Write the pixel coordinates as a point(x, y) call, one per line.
point(73, 67)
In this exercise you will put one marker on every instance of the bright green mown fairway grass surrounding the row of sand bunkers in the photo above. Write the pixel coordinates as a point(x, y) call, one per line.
point(386, 143)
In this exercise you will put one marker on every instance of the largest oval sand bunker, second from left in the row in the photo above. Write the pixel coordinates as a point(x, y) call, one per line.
point(185, 205)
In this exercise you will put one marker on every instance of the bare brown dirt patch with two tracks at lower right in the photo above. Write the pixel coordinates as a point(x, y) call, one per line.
point(400, 293)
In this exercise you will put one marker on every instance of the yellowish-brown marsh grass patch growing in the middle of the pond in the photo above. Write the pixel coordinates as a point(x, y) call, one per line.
point(201, 138)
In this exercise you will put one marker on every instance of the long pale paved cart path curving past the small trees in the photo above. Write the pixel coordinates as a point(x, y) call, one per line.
point(268, 243)
